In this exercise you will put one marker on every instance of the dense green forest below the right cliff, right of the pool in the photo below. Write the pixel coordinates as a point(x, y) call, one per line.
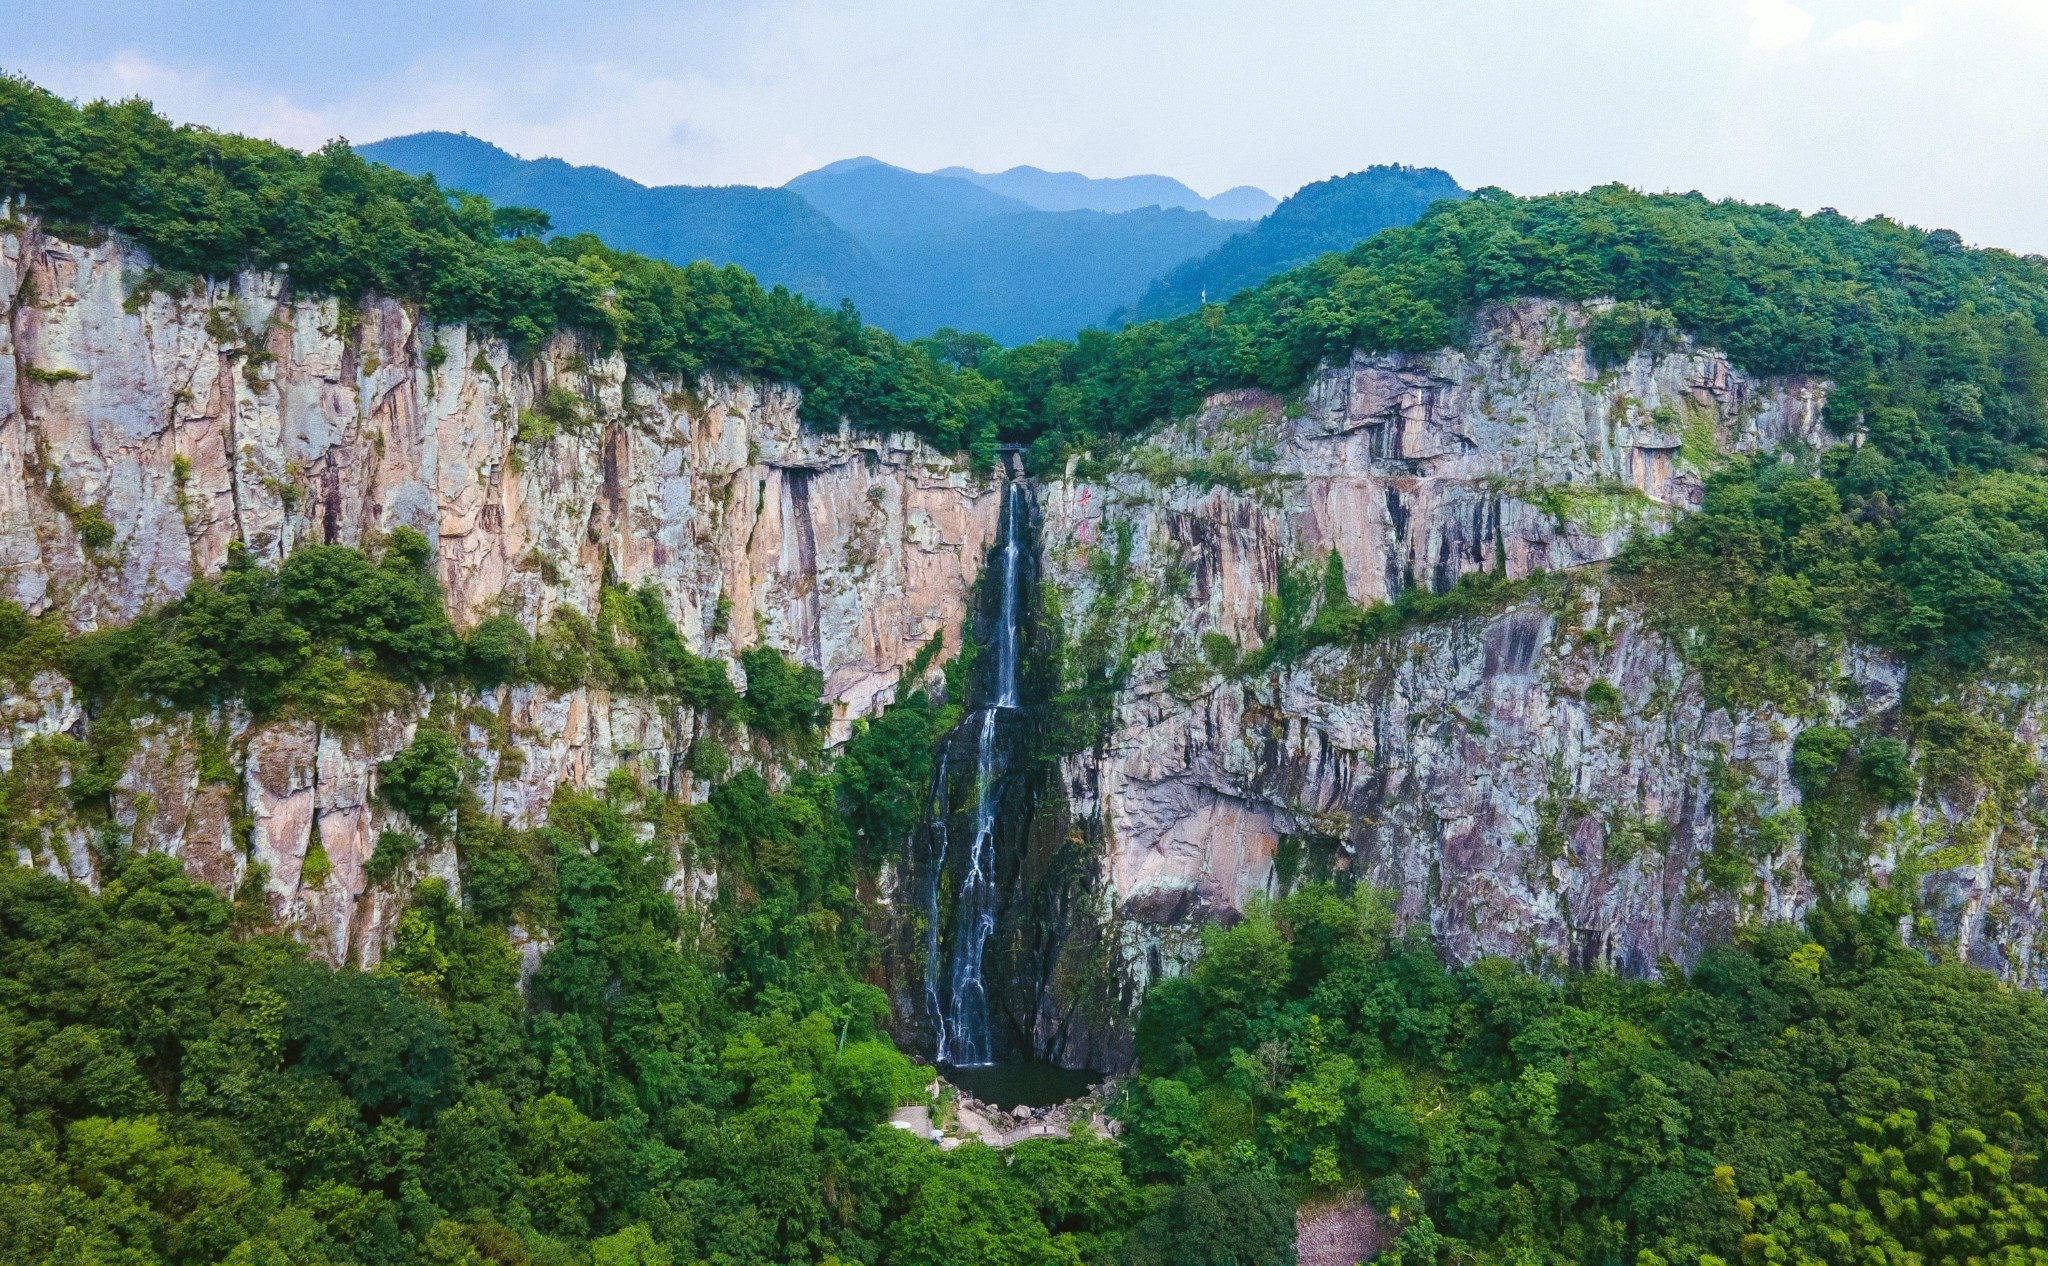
point(1803, 1097)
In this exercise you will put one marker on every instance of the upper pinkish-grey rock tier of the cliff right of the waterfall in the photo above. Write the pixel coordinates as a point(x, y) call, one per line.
point(1512, 456)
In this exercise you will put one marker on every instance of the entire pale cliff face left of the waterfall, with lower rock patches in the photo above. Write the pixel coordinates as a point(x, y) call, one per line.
point(144, 433)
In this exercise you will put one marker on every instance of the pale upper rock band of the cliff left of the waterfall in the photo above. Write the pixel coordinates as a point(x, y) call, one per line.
point(243, 415)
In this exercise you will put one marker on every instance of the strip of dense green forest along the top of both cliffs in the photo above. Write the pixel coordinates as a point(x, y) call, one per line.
point(1900, 319)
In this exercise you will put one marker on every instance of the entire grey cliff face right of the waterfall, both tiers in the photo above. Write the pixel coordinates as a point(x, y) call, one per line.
point(1474, 769)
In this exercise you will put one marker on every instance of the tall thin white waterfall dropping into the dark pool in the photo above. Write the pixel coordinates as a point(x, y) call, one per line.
point(964, 1017)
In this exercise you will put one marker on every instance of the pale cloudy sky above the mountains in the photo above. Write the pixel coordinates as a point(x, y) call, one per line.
point(1932, 112)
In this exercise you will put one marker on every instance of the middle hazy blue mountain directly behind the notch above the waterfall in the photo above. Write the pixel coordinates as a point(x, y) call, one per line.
point(1037, 273)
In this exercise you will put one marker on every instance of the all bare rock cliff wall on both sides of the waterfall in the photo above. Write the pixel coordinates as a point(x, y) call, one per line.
point(1469, 767)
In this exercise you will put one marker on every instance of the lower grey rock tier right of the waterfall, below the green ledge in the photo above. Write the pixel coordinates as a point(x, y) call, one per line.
point(1476, 773)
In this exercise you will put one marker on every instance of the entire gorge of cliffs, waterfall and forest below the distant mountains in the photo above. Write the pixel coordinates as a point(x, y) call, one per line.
point(1521, 741)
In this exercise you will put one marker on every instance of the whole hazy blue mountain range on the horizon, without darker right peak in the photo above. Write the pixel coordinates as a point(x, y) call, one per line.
point(914, 251)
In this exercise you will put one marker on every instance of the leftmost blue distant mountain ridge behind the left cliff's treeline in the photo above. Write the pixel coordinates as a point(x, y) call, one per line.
point(775, 235)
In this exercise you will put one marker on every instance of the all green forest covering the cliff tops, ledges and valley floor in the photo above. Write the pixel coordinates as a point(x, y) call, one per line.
point(570, 1066)
